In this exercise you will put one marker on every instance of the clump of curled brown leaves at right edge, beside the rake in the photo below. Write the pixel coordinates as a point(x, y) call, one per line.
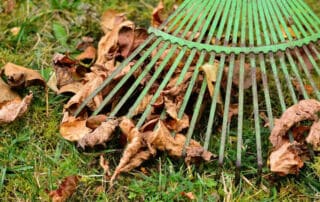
point(288, 157)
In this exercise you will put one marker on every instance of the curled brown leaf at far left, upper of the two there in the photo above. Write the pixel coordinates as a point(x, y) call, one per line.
point(18, 76)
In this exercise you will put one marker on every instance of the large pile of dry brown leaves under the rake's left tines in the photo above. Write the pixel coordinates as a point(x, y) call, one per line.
point(84, 74)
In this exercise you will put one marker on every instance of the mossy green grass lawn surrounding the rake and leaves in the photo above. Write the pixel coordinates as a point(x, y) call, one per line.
point(34, 158)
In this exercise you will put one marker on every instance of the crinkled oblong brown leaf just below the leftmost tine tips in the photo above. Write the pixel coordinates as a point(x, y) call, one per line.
point(100, 135)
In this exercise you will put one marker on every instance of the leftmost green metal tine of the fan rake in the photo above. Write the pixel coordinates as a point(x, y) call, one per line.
point(185, 5)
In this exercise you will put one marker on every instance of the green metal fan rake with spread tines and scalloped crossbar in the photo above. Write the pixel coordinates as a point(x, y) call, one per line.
point(277, 38)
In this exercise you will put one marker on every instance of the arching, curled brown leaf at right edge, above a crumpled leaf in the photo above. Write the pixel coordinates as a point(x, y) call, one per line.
point(304, 110)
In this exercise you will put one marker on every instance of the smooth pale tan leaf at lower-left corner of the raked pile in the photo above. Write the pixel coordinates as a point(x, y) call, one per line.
point(73, 129)
